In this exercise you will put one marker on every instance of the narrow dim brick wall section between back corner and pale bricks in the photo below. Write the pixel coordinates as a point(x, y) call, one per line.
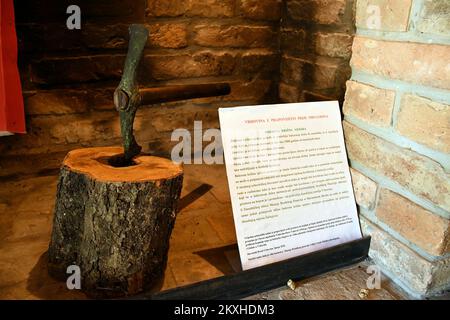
point(316, 39)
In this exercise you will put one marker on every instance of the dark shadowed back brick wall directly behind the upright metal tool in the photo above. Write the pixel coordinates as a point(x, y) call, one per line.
point(69, 76)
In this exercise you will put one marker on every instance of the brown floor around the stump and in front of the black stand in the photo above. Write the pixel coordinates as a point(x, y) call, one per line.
point(202, 244)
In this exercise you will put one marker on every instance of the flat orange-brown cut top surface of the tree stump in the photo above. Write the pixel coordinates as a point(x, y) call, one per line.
point(94, 162)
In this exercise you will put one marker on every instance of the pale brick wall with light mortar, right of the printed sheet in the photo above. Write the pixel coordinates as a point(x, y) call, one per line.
point(397, 129)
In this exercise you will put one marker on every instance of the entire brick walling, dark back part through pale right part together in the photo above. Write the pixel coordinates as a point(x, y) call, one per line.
point(397, 113)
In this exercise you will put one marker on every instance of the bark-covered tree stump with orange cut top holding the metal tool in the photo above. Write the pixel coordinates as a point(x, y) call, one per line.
point(114, 222)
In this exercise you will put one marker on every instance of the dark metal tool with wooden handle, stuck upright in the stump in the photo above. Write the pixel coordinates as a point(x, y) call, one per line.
point(128, 97)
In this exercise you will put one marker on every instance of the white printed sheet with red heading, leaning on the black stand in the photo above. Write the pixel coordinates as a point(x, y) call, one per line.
point(289, 180)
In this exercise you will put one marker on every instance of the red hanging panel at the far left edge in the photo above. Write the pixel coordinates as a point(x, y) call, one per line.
point(12, 117)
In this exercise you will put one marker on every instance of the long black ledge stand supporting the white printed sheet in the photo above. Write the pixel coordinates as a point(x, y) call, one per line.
point(257, 280)
